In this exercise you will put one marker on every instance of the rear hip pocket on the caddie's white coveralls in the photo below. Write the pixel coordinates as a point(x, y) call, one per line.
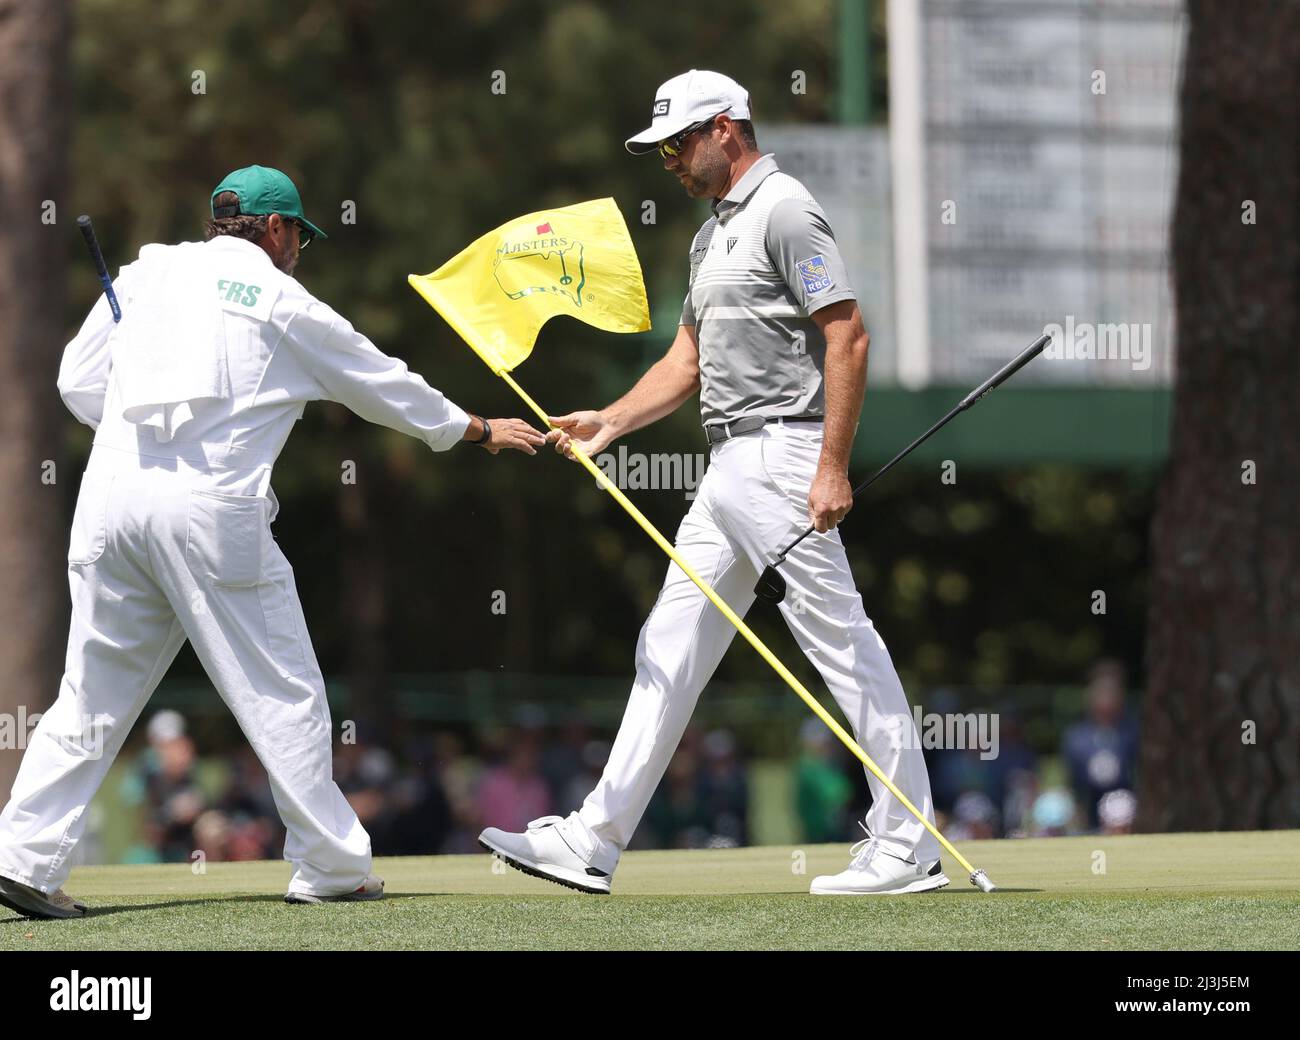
point(224, 539)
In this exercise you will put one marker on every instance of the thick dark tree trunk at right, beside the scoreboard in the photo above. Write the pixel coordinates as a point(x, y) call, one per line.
point(1221, 742)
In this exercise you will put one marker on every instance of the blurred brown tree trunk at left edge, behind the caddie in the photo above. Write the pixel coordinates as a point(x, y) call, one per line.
point(34, 102)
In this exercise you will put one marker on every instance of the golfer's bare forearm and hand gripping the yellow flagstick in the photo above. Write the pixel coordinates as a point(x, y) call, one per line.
point(662, 391)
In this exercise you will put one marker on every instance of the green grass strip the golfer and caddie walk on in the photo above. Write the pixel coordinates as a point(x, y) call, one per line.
point(1220, 891)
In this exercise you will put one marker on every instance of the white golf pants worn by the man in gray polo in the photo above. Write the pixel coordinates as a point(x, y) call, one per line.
point(753, 502)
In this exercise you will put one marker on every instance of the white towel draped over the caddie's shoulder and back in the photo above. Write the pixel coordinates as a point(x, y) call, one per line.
point(170, 352)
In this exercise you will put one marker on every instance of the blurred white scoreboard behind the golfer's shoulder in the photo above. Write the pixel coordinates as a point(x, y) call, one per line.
point(1026, 177)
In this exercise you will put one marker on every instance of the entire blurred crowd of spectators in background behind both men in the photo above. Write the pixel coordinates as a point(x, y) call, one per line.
point(435, 792)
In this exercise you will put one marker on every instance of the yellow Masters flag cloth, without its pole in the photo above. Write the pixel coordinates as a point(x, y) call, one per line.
point(575, 261)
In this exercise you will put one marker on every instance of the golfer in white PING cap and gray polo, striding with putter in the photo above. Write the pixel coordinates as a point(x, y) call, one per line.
point(773, 340)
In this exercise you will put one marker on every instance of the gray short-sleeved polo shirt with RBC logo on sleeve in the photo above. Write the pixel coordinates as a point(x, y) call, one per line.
point(760, 268)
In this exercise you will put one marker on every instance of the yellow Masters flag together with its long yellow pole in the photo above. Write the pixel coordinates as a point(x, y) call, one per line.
point(579, 261)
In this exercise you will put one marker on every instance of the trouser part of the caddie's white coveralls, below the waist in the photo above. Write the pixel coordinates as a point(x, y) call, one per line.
point(158, 558)
